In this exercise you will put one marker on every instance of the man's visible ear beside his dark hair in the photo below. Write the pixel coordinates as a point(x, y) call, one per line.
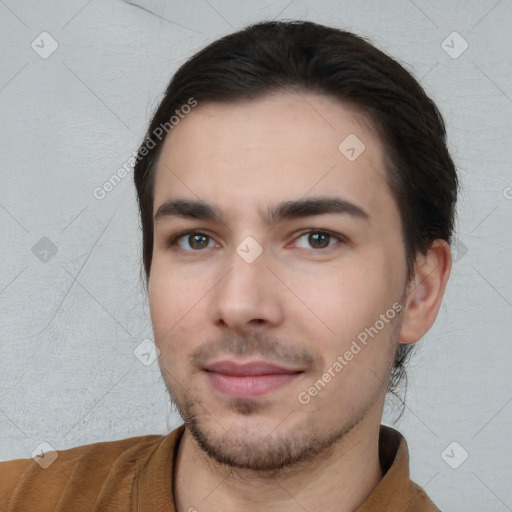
point(425, 291)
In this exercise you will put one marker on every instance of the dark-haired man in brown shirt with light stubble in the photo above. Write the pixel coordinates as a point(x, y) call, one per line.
point(297, 202)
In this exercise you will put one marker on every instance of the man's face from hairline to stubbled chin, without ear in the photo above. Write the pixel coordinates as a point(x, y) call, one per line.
point(322, 288)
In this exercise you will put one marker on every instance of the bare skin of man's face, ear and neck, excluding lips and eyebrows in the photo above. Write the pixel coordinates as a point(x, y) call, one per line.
point(300, 304)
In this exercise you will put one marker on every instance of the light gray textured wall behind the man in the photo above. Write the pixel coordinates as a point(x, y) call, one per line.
point(70, 325)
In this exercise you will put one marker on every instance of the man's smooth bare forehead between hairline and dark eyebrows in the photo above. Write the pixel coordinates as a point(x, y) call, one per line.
point(259, 152)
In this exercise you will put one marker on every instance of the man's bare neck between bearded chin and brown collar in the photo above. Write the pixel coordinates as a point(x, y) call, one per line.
point(339, 479)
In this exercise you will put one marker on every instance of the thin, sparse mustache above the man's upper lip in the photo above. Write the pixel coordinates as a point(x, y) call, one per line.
point(258, 343)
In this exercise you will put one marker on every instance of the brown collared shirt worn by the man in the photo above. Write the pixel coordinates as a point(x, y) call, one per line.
point(136, 474)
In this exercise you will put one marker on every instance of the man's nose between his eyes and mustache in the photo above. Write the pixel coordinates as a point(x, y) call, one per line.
point(249, 295)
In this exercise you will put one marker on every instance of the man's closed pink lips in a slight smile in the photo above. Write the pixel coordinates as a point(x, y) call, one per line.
point(248, 380)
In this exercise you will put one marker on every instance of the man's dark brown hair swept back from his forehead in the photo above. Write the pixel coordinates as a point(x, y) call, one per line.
point(277, 56)
